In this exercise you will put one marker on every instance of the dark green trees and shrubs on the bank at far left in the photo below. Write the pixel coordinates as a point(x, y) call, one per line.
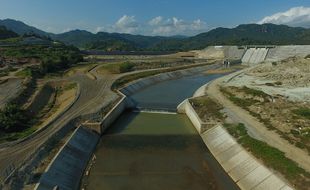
point(43, 59)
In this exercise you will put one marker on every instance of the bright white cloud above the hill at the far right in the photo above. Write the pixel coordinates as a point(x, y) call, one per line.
point(296, 16)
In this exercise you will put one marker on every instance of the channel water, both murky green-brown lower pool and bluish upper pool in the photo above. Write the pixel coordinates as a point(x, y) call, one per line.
point(157, 151)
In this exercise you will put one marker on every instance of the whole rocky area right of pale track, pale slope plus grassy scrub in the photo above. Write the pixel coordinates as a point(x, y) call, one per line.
point(278, 95)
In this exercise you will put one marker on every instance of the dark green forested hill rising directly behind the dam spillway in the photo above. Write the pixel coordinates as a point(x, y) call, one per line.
point(248, 34)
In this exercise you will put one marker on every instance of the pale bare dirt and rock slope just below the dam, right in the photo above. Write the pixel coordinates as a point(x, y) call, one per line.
point(289, 78)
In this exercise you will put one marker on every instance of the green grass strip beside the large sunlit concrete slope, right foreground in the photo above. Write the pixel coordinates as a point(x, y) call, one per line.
point(271, 156)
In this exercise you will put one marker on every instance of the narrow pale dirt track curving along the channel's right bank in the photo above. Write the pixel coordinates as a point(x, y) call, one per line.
point(270, 137)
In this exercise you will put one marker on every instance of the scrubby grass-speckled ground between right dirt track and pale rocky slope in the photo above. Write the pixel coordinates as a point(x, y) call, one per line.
point(289, 119)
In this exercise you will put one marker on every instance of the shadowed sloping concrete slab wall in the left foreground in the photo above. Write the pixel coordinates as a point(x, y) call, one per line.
point(66, 170)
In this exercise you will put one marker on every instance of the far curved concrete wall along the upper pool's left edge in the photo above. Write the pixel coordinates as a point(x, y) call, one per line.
point(137, 85)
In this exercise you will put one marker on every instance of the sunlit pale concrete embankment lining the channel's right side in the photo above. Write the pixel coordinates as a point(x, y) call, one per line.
point(240, 165)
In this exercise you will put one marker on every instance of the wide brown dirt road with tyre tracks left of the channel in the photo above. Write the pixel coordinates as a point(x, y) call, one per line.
point(94, 95)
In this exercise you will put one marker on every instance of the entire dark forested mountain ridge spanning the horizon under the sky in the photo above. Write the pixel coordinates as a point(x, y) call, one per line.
point(246, 34)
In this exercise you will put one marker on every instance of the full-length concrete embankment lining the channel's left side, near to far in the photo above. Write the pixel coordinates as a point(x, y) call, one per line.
point(67, 168)
